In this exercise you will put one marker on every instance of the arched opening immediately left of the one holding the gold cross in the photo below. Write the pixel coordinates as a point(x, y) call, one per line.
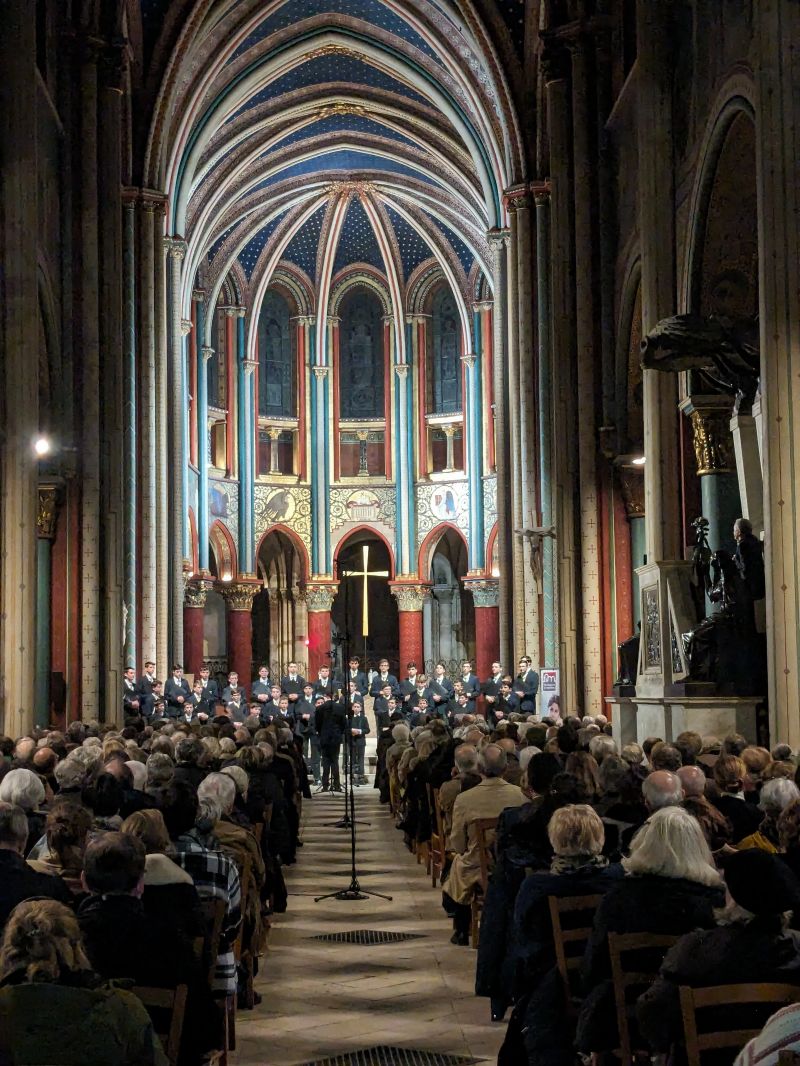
point(277, 626)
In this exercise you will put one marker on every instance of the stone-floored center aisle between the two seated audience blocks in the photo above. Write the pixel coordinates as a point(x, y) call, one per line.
point(324, 999)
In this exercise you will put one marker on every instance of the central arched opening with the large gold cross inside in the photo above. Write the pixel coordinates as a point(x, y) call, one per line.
point(382, 641)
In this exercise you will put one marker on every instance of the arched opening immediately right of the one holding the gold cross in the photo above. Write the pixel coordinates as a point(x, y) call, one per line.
point(450, 616)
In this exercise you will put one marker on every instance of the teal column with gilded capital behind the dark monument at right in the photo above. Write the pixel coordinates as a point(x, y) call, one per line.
point(719, 491)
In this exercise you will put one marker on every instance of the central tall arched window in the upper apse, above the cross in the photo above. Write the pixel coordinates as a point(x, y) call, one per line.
point(361, 357)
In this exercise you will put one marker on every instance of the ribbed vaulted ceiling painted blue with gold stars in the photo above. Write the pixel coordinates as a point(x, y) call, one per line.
point(315, 135)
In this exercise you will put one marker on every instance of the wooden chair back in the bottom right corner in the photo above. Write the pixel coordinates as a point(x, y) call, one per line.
point(767, 998)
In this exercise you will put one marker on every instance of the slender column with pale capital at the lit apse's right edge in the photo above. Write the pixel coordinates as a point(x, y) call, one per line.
point(499, 240)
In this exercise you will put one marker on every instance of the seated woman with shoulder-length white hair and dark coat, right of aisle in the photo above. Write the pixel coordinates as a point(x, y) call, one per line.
point(671, 886)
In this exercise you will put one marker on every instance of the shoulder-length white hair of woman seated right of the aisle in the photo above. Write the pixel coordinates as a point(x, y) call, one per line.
point(671, 845)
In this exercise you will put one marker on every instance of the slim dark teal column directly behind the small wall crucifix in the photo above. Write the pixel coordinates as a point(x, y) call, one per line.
point(546, 427)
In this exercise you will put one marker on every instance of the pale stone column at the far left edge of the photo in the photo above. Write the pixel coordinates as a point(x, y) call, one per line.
point(20, 397)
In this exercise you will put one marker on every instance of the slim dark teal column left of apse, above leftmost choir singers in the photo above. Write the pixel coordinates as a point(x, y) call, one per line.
point(130, 432)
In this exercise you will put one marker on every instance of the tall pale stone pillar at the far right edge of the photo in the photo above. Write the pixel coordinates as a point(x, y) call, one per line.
point(777, 66)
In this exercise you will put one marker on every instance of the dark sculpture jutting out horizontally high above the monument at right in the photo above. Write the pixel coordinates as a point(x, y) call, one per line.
point(725, 350)
